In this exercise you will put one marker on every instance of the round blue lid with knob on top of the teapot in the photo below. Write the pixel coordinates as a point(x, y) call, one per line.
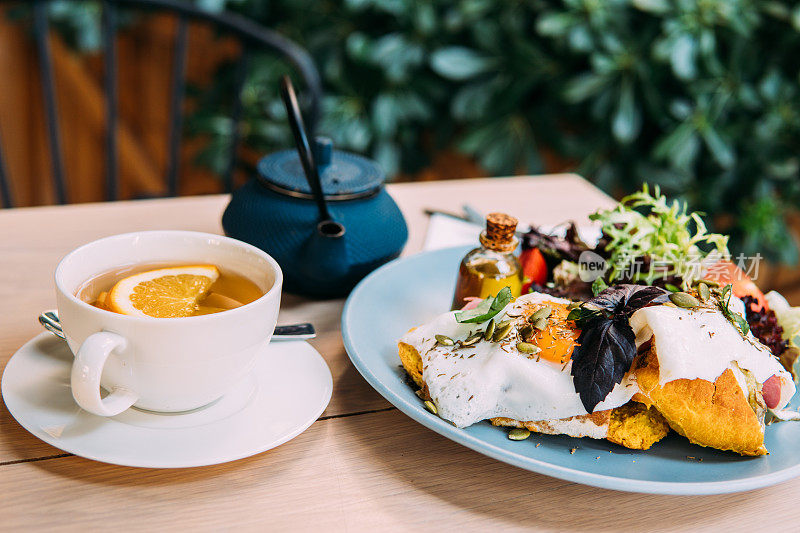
point(344, 176)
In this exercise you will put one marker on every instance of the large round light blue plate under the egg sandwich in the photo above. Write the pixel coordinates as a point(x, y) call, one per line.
point(410, 291)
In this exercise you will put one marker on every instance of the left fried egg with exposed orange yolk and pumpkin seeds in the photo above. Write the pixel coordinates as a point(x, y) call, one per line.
point(494, 379)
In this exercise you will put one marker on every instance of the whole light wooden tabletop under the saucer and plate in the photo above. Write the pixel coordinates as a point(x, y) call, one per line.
point(363, 464)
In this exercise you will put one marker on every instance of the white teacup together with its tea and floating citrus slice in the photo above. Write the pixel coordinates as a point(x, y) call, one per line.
point(164, 364)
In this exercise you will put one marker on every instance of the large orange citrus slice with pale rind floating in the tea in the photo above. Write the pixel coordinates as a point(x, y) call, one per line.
point(162, 293)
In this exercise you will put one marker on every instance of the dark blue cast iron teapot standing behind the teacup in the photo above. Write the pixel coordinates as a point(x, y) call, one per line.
point(323, 215)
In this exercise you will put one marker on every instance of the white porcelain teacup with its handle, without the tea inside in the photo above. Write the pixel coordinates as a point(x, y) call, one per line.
point(163, 364)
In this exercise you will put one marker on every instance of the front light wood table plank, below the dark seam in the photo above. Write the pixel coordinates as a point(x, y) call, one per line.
point(378, 472)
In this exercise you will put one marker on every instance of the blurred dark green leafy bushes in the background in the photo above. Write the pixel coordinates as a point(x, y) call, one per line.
point(697, 96)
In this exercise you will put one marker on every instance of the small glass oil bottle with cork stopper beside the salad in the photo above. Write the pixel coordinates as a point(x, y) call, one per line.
point(485, 270)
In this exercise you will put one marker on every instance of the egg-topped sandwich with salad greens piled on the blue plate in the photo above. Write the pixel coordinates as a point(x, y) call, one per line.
point(627, 362)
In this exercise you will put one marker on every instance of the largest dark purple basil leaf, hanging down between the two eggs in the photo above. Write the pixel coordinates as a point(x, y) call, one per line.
point(603, 355)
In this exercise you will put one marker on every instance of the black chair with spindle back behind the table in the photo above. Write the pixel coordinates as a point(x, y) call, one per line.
point(252, 36)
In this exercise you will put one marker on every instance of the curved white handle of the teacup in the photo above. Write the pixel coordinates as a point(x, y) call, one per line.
point(87, 369)
